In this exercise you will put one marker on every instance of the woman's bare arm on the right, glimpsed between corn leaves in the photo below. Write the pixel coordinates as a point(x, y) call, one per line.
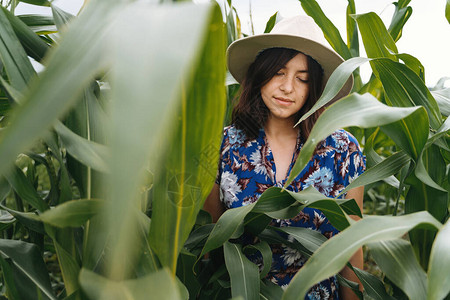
point(357, 259)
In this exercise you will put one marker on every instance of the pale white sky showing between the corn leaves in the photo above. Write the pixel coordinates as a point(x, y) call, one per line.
point(426, 35)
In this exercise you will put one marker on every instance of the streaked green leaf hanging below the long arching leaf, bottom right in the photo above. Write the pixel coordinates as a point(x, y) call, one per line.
point(397, 260)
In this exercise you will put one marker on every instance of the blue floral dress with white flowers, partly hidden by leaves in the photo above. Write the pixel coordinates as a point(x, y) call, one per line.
point(247, 169)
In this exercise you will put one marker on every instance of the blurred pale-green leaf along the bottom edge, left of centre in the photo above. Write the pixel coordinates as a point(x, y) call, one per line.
point(160, 285)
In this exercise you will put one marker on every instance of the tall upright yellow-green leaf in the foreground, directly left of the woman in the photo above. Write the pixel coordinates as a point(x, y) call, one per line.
point(185, 173)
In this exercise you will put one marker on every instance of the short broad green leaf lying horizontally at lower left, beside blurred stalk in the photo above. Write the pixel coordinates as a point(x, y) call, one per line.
point(72, 213)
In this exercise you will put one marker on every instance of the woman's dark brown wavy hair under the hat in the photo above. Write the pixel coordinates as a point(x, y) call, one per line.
point(250, 113)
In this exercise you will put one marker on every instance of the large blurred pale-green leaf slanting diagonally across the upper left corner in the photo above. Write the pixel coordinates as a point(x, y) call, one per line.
point(44, 100)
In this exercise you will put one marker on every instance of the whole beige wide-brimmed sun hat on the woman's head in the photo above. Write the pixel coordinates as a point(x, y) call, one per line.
point(300, 33)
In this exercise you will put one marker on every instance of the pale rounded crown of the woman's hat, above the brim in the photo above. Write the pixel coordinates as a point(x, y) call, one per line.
point(301, 26)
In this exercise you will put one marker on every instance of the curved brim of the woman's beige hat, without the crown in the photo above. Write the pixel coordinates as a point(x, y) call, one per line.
point(241, 54)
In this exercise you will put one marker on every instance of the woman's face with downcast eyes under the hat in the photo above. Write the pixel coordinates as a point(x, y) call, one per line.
point(287, 91)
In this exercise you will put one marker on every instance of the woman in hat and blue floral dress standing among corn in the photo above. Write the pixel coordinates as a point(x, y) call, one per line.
point(282, 75)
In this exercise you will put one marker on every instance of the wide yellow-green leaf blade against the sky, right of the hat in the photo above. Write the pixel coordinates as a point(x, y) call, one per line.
point(377, 40)
